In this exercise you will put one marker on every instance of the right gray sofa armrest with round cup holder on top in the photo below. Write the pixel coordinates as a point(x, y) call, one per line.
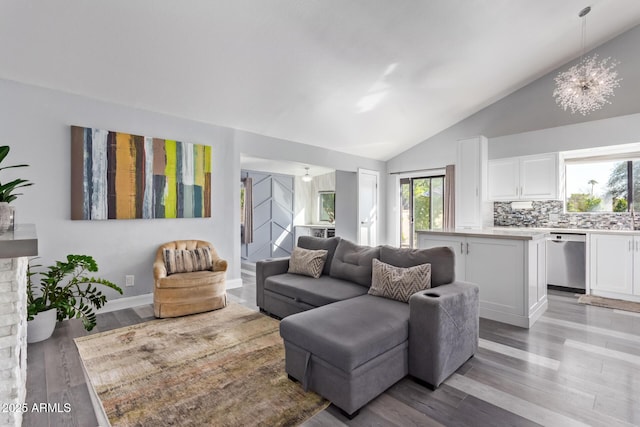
point(443, 330)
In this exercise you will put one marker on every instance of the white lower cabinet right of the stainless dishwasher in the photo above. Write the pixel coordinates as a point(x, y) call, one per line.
point(614, 265)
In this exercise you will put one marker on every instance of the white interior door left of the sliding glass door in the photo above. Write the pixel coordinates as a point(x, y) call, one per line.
point(368, 207)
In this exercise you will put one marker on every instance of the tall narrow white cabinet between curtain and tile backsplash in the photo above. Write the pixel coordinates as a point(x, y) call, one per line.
point(471, 164)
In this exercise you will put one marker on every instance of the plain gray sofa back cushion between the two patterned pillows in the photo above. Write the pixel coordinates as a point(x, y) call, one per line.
point(353, 262)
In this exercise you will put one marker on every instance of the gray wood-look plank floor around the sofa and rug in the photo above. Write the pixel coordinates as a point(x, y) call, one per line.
point(578, 365)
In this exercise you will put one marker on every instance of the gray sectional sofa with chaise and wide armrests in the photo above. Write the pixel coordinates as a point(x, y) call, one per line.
point(350, 346)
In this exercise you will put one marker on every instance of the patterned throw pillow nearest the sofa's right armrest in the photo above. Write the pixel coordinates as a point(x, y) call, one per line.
point(399, 283)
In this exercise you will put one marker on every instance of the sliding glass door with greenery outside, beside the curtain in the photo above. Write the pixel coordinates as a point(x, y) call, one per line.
point(422, 207)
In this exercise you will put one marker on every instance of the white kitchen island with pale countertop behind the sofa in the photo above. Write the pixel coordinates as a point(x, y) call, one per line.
point(509, 266)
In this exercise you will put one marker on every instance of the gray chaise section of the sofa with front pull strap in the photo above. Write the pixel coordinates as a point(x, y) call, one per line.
point(349, 351)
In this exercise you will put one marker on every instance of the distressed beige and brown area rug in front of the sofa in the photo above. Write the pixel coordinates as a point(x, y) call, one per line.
point(222, 368)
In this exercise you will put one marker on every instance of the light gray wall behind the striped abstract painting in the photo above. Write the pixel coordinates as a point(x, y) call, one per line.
point(36, 122)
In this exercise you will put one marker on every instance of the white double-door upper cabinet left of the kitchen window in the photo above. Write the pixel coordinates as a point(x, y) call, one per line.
point(524, 178)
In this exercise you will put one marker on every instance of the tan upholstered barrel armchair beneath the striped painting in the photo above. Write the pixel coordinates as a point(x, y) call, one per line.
point(191, 292)
